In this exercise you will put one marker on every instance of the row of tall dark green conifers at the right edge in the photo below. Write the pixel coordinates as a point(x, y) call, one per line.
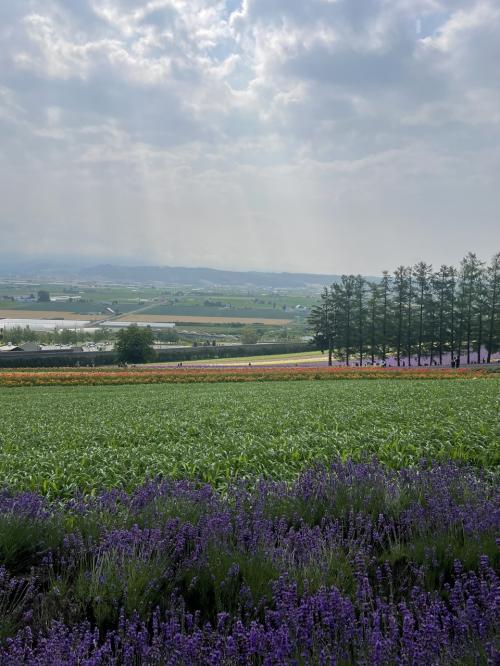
point(416, 315)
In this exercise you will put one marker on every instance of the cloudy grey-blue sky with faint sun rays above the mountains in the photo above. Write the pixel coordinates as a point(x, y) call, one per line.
point(323, 136)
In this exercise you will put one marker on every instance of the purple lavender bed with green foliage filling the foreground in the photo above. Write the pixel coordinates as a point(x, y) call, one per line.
point(352, 565)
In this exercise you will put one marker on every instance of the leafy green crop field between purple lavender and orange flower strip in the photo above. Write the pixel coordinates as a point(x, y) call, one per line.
point(57, 439)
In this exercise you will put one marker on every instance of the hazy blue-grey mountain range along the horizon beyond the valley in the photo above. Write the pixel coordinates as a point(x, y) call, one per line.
point(164, 275)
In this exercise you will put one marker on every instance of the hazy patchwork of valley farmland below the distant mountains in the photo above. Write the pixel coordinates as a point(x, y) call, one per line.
point(224, 308)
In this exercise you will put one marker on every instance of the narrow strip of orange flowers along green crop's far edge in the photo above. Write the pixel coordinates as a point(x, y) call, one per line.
point(97, 377)
